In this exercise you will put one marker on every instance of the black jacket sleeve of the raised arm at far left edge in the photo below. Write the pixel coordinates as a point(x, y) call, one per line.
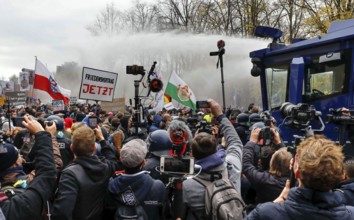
point(31, 203)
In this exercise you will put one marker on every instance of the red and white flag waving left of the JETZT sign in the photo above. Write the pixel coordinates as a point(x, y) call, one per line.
point(44, 80)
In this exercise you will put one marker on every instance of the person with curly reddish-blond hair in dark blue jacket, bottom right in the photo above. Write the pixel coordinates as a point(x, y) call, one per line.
point(319, 168)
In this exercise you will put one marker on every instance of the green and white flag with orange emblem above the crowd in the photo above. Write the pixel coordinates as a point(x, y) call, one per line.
point(178, 90)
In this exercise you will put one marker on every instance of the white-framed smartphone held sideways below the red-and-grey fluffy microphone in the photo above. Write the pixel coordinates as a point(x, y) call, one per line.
point(176, 165)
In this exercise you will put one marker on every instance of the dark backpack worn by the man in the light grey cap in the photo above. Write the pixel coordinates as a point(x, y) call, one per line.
point(131, 209)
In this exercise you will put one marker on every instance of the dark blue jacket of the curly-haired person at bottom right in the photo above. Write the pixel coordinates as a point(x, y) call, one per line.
point(303, 204)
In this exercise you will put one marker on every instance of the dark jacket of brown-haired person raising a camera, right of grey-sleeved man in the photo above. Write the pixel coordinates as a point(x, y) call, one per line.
point(268, 187)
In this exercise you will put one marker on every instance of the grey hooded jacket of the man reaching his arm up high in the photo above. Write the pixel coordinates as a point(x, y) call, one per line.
point(231, 159)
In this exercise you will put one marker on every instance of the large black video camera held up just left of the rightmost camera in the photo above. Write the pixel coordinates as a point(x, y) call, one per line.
point(299, 115)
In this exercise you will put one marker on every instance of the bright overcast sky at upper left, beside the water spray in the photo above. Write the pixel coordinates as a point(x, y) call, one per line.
point(46, 29)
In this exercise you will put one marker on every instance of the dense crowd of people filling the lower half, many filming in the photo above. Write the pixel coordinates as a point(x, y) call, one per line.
point(62, 165)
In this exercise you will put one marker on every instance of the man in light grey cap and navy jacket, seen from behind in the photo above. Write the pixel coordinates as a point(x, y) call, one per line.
point(135, 192)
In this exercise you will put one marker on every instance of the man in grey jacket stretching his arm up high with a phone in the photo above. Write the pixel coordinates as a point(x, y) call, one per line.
point(214, 161)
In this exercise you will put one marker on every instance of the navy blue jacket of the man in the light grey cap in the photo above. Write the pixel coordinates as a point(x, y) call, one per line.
point(146, 191)
